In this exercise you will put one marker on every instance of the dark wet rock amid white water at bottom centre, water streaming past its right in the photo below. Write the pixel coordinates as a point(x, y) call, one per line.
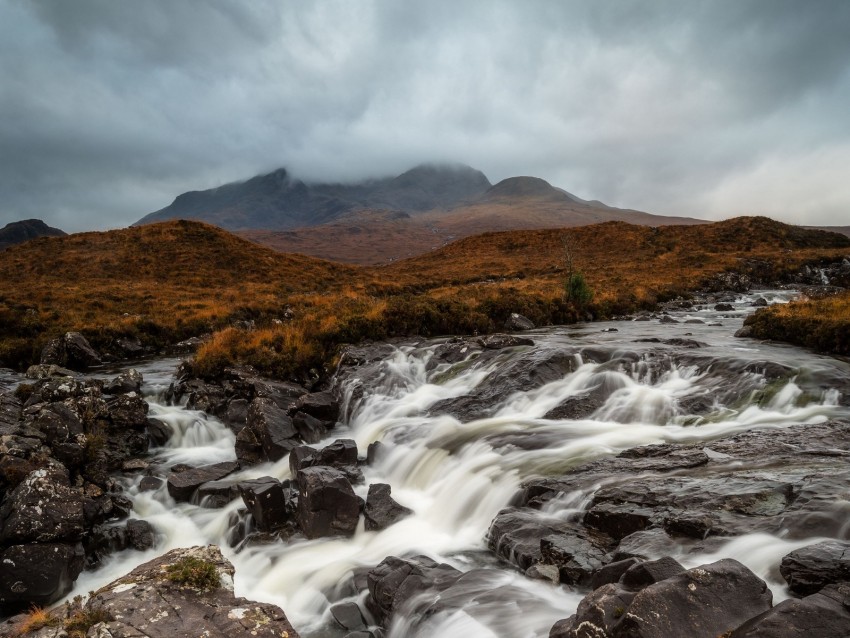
point(396, 580)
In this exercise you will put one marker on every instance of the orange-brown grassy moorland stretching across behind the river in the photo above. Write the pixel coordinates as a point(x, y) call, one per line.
point(168, 281)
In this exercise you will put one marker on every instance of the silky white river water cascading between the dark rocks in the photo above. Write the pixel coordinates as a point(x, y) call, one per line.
point(456, 478)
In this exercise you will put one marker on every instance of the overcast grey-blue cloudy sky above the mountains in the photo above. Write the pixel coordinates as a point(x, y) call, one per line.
point(111, 108)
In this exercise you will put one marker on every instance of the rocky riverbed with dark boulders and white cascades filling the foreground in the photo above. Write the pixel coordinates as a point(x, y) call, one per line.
point(653, 476)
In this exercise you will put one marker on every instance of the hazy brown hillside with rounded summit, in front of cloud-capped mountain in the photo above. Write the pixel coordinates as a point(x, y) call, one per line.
point(517, 203)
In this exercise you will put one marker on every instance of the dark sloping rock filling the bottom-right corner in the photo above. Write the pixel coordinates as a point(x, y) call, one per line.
point(825, 614)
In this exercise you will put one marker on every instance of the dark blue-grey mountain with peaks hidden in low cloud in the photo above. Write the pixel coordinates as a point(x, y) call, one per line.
point(279, 201)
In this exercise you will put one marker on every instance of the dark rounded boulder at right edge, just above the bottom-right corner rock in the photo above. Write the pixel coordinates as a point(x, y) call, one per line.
point(809, 569)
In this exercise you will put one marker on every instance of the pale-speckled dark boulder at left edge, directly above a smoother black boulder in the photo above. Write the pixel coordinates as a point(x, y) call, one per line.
point(42, 508)
